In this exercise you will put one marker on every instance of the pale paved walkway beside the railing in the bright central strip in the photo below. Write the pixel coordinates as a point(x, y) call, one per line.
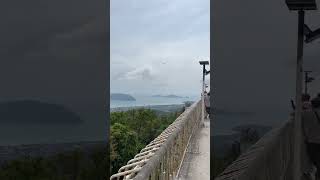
point(196, 163)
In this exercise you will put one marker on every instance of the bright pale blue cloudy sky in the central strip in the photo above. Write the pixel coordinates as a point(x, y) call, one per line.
point(155, 46)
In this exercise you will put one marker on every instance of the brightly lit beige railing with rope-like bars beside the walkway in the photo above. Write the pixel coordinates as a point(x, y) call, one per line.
point(162, 157)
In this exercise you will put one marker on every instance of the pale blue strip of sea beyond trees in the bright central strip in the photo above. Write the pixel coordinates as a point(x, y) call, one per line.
point(148, 100)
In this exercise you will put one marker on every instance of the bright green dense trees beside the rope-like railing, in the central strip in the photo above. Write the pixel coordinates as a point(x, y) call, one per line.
point(132, 130)
